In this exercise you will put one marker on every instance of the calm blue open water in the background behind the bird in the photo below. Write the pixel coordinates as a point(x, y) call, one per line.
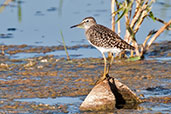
point(37, 22)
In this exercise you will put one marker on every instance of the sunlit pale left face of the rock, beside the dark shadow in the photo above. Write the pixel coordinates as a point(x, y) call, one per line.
point(100, 98)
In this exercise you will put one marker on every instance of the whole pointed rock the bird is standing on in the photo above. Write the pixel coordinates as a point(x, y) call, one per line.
point(109, 94)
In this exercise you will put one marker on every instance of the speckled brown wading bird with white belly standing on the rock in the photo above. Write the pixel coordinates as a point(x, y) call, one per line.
point(103, 39)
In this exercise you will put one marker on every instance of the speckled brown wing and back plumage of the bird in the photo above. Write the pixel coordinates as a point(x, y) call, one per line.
point(102, 36)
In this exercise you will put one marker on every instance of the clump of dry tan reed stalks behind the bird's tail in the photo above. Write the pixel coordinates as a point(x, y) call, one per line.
point(135, 12)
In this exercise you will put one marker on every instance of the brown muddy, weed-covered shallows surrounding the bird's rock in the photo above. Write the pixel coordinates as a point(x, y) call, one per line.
point(51, 77)
